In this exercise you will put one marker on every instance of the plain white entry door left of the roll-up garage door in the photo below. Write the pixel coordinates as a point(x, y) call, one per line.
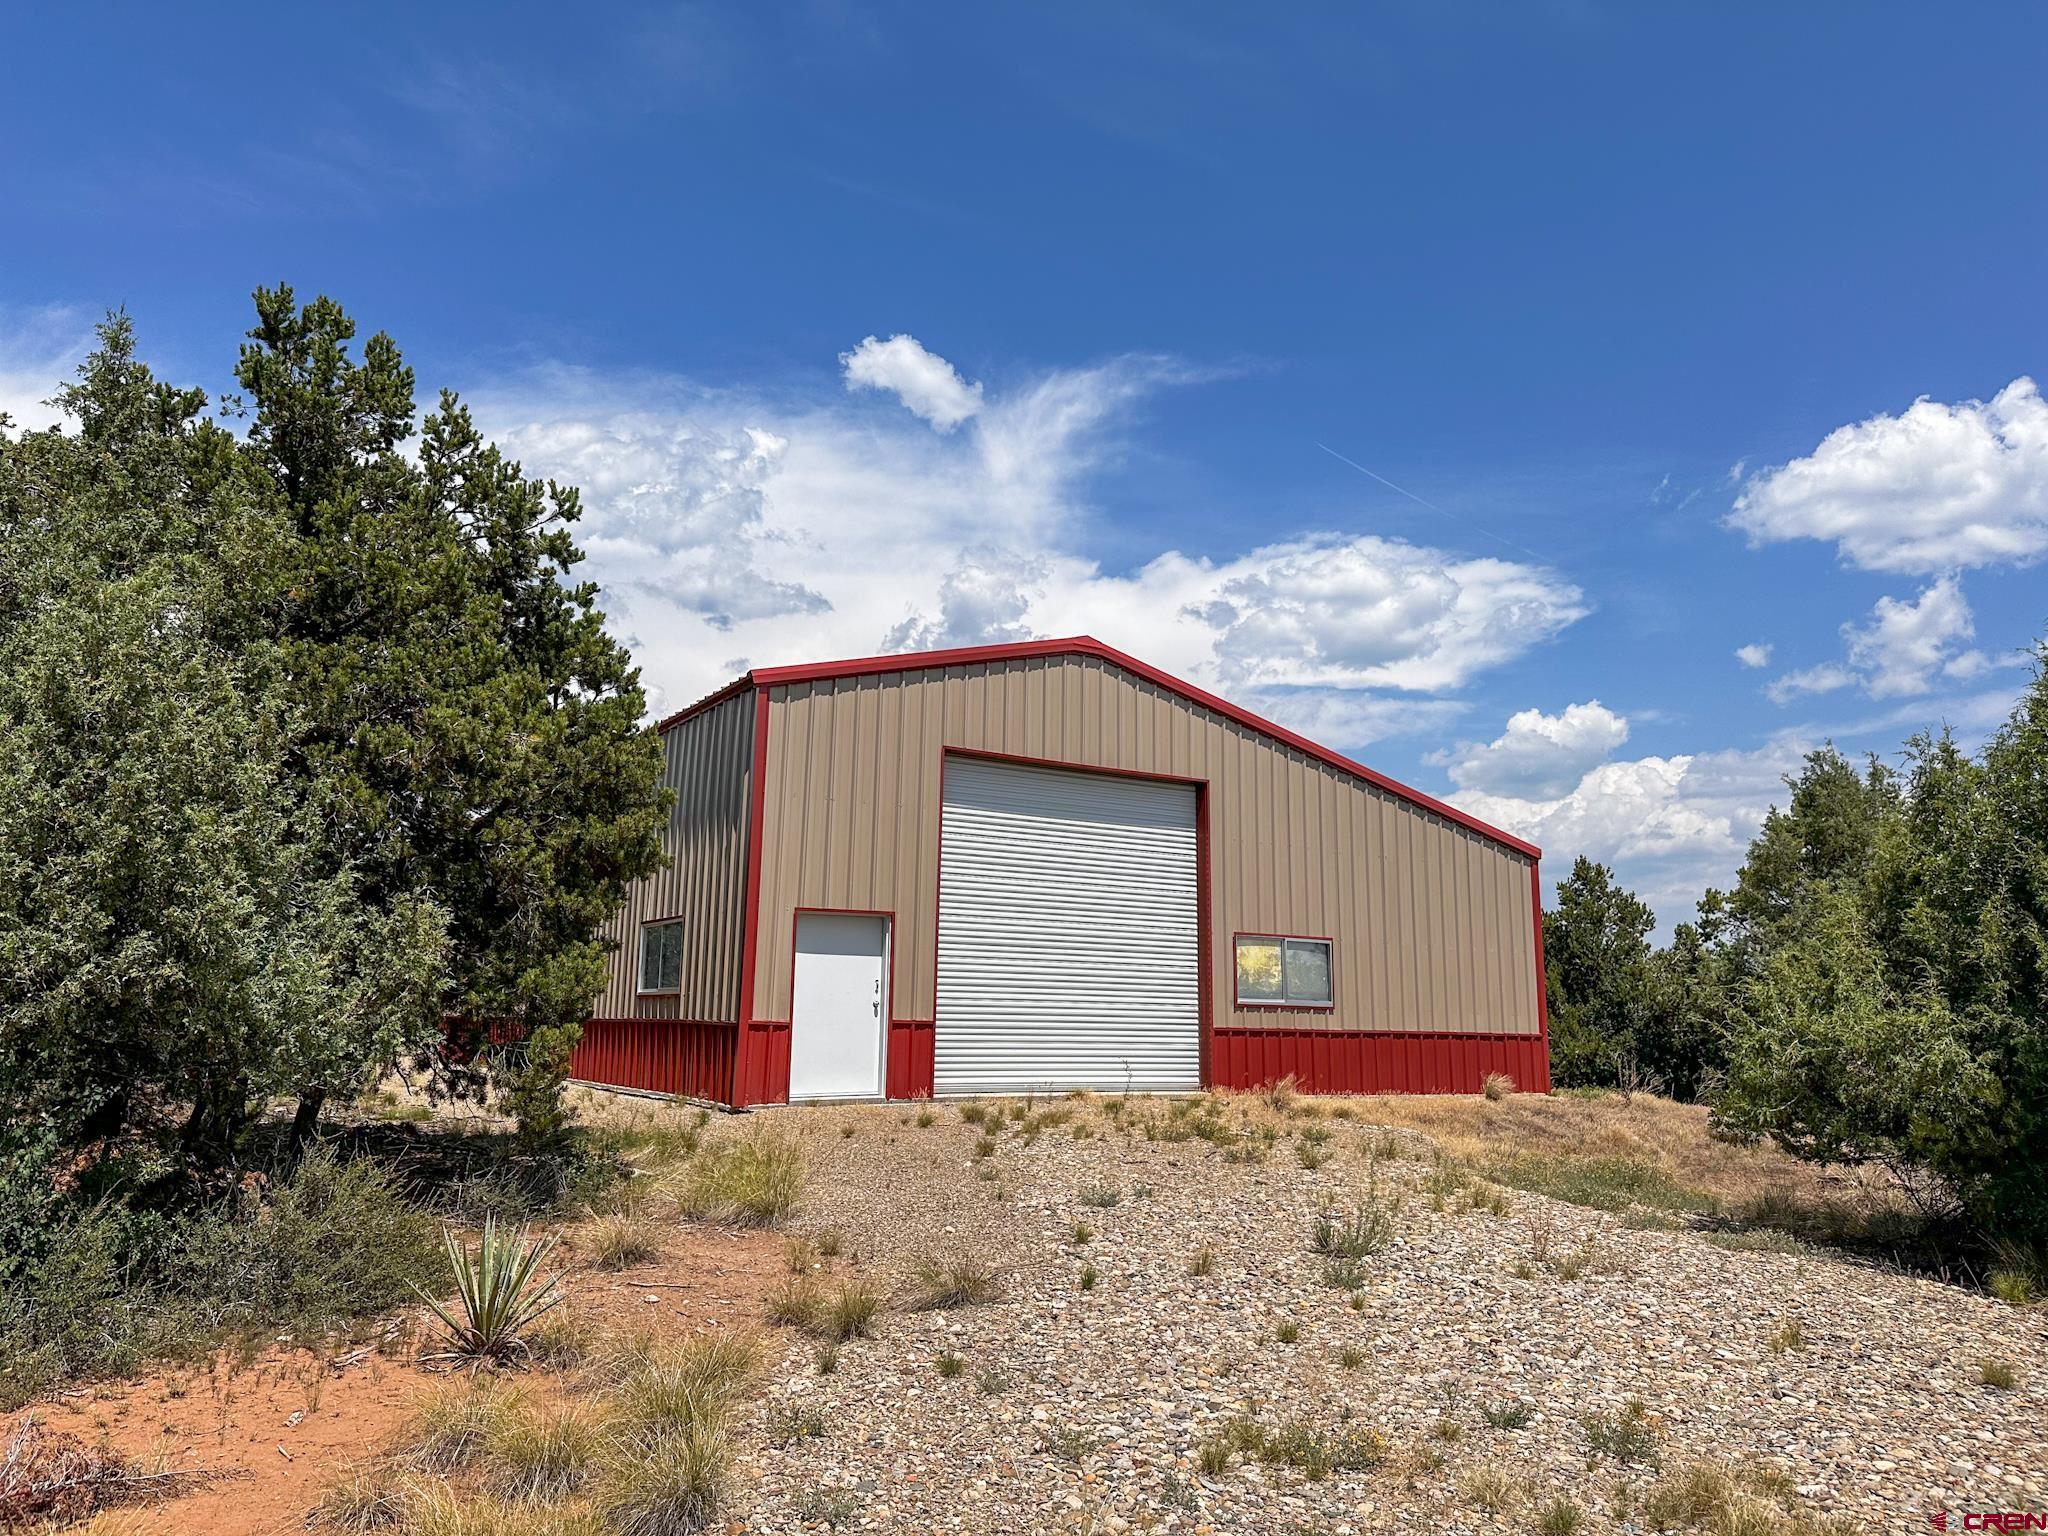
point(841, 1007)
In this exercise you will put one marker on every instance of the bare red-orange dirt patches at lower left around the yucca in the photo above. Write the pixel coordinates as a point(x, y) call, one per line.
point(284, 1426)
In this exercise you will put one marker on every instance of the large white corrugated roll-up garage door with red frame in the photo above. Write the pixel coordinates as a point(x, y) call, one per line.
point(1068, 951)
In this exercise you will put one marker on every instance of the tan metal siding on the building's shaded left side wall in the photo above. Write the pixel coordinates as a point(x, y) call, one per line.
point(710, 763)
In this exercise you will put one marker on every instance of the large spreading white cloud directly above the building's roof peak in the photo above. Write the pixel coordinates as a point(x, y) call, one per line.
point(744, 529)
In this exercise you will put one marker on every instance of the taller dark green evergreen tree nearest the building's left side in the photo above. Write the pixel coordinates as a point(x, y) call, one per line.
point(474, 736)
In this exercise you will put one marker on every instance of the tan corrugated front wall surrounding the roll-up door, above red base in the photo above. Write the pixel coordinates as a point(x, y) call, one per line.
point(1433, 923)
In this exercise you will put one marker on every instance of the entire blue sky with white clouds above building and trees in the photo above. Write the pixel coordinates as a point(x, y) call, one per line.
point(1461, 384)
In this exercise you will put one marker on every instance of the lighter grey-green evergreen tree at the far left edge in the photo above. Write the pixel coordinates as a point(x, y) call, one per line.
point(171, 939)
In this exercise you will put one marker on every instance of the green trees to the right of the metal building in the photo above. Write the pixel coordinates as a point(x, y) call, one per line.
point(1875, 988)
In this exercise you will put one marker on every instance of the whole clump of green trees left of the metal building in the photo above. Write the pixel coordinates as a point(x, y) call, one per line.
point(304, 744)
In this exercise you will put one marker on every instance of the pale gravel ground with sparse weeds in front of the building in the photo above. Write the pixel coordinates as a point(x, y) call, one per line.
point(1500, 1353)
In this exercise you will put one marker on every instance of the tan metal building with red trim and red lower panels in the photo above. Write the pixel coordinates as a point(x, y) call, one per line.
point(1043, 867)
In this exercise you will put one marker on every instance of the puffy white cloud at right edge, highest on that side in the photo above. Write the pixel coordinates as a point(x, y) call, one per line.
point(1930, 490)
